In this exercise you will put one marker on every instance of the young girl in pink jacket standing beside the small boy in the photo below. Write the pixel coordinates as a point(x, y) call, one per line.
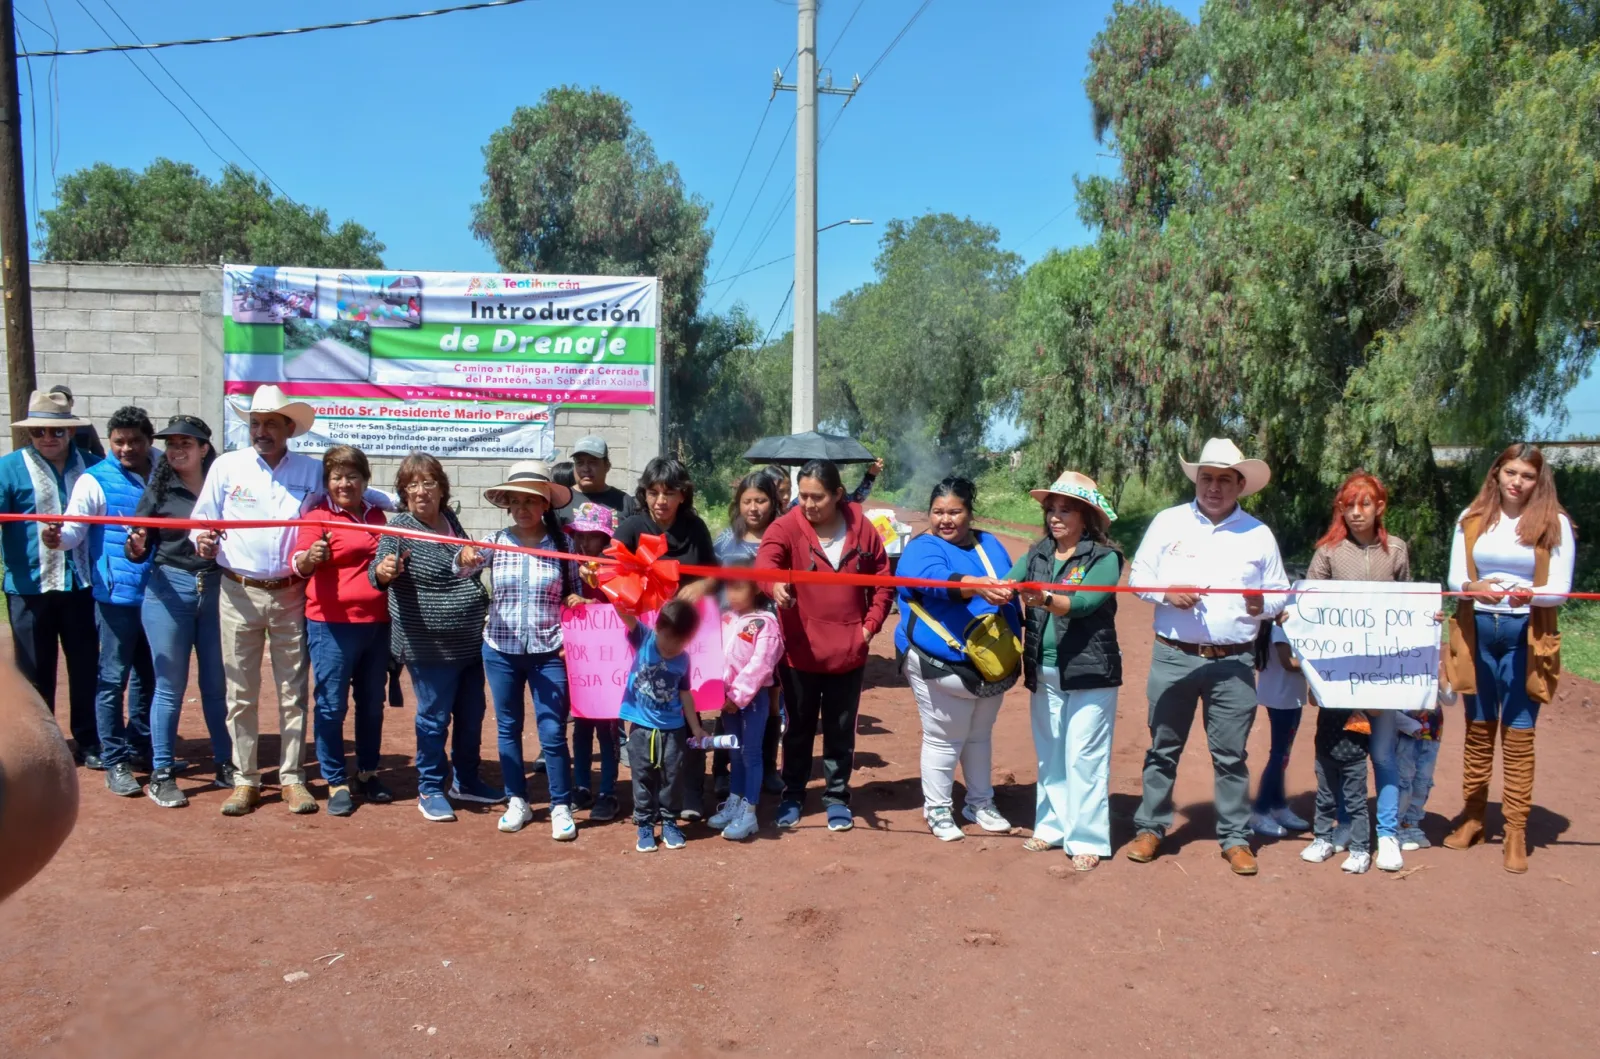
point(751, 647)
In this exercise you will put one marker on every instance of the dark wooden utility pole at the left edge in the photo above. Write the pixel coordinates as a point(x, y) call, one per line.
point(14, 234)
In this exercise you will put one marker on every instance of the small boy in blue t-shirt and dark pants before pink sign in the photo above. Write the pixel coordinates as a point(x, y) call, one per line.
point(660, 709)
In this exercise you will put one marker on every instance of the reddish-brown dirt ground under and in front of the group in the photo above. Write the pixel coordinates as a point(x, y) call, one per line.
point(158, 933)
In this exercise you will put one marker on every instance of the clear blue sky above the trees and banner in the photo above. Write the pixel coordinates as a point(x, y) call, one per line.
point(980, 111)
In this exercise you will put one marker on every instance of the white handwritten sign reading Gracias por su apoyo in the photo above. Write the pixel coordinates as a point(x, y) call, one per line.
point(1367, 645)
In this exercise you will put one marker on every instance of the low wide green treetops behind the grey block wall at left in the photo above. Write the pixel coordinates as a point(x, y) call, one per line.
point(172, 214)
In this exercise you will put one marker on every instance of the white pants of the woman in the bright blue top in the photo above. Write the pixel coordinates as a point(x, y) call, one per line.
point(956, 727)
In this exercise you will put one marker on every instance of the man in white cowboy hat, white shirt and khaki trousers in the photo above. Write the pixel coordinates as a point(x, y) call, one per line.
point(263, 604)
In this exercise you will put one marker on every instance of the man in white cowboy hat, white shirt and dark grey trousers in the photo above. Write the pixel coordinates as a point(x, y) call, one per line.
point(1206, 642)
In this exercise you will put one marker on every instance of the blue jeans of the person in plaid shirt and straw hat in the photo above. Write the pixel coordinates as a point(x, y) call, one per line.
point(545, 676)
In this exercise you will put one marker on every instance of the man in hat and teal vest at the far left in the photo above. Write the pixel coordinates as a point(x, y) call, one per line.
point(49, 597)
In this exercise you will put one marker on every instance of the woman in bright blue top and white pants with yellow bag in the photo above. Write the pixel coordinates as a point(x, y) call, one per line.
point(956, 705)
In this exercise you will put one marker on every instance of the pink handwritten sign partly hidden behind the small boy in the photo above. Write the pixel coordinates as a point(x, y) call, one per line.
point(599, 658)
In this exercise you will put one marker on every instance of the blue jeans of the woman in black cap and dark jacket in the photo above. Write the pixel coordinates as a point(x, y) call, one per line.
point(182, 618)
